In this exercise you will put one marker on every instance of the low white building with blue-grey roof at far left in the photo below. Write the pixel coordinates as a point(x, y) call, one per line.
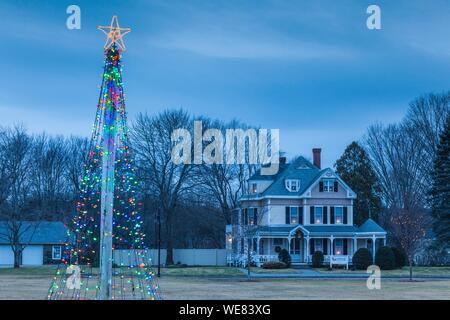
point(44, 244)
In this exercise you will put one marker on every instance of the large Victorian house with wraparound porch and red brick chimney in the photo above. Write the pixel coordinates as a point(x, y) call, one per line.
point(303, 209)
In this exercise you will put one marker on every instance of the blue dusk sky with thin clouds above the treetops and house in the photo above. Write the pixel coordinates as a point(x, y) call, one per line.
point(310, 68)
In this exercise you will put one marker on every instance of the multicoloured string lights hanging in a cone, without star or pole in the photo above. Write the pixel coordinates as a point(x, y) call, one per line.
point(83, 247)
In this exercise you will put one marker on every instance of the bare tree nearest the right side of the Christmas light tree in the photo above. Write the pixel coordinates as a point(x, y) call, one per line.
point(170, 182)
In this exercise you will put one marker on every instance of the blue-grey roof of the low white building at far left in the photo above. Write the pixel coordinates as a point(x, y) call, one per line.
point(46, 232)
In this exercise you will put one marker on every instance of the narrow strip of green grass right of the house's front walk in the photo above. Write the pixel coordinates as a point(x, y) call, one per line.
point(417, 271)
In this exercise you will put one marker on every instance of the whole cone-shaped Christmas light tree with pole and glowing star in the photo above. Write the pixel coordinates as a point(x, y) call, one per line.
point(105, 257)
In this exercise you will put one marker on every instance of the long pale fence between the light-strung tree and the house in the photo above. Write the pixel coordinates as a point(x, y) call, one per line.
point(191, 257)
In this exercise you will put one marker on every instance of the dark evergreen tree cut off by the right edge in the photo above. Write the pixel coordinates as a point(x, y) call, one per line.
point(440, 190)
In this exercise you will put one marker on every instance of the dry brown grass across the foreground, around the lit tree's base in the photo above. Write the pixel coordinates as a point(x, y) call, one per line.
point(35, 287)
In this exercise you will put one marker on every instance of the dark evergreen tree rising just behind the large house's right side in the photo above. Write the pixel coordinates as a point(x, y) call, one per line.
point(355, 168)
